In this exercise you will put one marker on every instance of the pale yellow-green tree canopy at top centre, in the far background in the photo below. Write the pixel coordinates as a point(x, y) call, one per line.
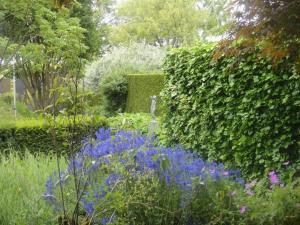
point(168, 22)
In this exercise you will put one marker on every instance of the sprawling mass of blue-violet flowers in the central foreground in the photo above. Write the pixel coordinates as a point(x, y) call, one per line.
point(109, 160)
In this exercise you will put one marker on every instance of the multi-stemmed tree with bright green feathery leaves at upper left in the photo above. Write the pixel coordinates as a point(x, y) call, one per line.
point(49, 45)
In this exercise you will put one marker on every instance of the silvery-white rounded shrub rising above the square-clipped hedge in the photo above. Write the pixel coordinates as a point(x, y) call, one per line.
point(122, 60)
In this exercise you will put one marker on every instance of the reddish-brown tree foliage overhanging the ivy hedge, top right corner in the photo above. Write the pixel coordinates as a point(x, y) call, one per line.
point(272, 25)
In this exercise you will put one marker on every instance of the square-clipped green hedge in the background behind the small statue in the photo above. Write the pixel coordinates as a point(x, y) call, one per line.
point(140, 88)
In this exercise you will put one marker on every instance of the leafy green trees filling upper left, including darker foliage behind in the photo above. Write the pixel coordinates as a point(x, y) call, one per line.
point(49, 40)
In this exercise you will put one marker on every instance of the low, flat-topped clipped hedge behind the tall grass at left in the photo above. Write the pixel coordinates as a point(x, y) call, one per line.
point(36, 136)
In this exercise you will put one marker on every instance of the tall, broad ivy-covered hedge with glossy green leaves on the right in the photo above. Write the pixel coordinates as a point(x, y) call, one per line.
point(241, 110)
